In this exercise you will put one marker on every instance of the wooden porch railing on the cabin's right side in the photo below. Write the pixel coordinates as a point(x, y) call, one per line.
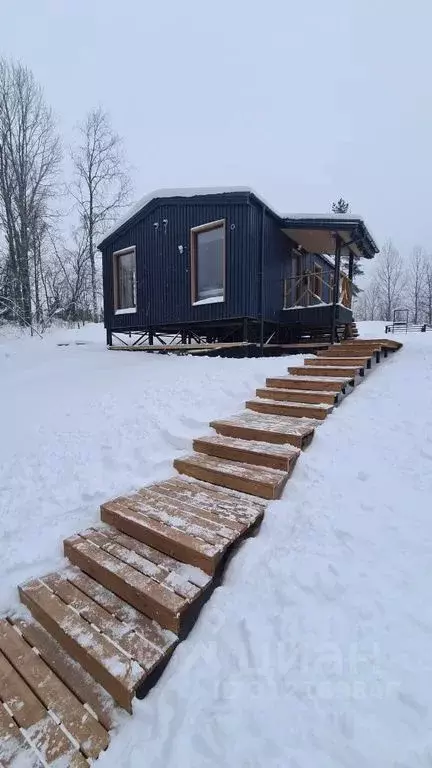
point(312, 289)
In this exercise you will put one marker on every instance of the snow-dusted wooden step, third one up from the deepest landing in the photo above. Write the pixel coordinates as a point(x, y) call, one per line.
point(249, 425)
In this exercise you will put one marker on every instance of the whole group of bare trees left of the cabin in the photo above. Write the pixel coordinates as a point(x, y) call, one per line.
point(49, 225)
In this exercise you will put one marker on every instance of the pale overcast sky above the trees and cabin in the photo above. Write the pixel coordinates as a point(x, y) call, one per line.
point(305, 101)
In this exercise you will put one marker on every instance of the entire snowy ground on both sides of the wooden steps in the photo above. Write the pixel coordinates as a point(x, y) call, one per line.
point(316, 650)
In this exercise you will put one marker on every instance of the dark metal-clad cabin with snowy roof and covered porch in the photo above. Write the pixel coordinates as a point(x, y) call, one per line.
point(222, 266)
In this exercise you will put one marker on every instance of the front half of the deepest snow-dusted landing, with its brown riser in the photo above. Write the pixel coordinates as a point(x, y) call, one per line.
point(170, 528)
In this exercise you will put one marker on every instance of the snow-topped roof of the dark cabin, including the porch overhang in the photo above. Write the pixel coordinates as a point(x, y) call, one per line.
point(311, 231)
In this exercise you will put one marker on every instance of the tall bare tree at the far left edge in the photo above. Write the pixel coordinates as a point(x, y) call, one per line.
point(30, 155)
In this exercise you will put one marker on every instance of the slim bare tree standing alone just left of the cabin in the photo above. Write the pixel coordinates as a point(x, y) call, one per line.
point(101, 184)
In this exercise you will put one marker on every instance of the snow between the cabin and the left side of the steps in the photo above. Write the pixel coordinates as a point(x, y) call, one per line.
point(81, 425)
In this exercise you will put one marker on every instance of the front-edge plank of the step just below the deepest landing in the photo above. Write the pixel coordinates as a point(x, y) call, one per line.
point(143, 593)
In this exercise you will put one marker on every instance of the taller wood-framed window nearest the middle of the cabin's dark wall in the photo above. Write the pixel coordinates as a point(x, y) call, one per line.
point(208, 262)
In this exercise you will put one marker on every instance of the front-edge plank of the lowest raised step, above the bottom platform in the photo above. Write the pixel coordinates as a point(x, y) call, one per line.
point(117, 673)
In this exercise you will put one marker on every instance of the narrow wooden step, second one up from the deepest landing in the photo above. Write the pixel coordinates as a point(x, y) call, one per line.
point(255, 452)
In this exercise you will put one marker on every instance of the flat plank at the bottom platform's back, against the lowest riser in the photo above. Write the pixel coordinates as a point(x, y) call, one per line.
point(87, 690)
